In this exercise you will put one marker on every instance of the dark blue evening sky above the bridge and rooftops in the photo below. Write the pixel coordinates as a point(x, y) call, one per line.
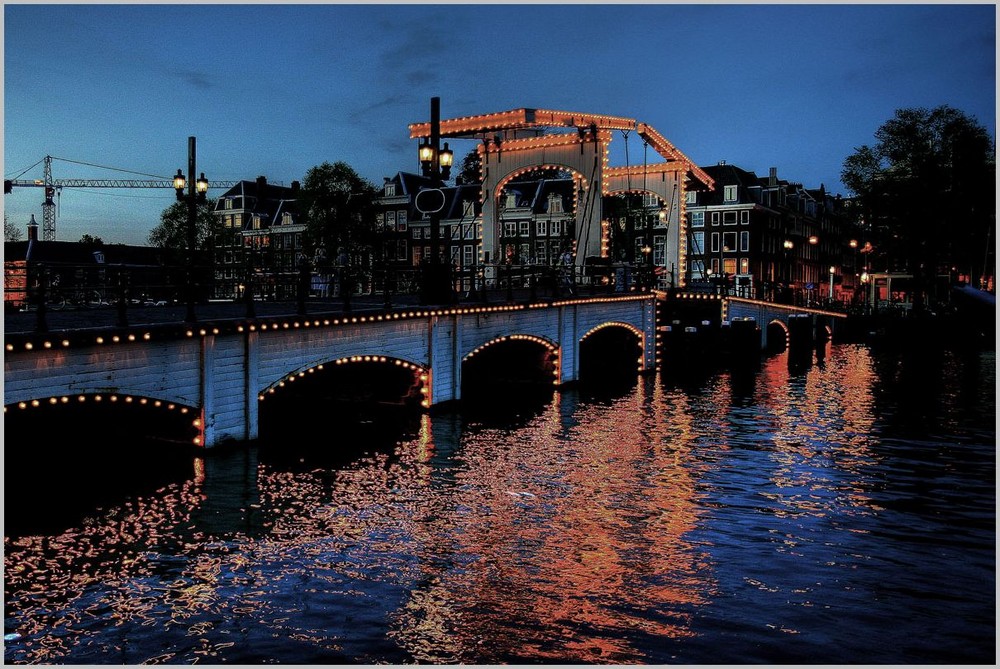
point(276, 89)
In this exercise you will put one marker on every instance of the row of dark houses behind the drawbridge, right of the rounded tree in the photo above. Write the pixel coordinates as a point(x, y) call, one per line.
point(760, 237)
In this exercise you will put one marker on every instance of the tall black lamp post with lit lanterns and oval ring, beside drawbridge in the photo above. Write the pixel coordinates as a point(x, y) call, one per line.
point(436, 164)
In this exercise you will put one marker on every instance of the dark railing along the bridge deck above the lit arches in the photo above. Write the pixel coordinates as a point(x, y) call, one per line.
point(42, 296)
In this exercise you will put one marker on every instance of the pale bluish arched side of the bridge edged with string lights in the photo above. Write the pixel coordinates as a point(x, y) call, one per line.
point(217, 374)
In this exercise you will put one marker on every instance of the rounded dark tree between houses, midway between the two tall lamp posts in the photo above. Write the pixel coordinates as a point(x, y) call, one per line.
point(339, 209)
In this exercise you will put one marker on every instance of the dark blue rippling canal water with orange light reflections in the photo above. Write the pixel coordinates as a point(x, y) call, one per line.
point(843, 512)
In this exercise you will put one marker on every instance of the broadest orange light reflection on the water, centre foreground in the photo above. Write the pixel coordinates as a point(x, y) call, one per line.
point(545, 544)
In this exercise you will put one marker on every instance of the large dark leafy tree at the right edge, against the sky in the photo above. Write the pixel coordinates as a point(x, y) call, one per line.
point(926, 190)
